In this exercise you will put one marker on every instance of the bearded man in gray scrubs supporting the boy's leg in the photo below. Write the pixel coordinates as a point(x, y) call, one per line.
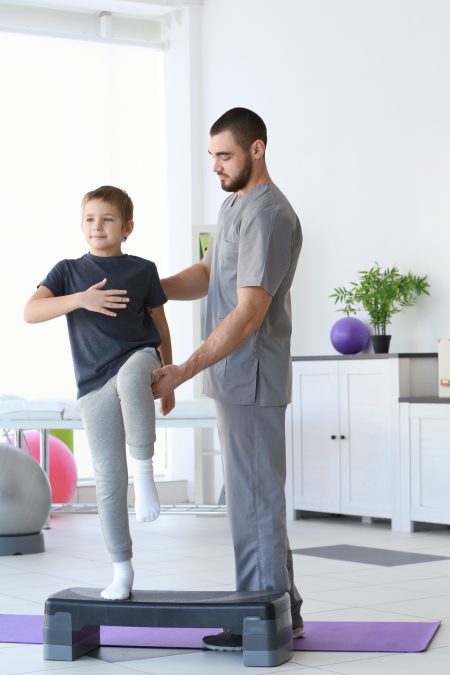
point(247, 274)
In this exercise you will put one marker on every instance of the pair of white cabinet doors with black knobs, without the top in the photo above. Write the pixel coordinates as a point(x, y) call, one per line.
point(343, 436)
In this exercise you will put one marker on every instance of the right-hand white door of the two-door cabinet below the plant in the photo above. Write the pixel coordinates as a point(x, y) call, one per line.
point(367, 399)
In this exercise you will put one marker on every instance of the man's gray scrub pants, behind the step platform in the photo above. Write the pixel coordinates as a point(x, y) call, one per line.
point(252, 439)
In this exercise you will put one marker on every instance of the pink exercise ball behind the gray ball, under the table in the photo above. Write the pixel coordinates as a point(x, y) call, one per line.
point(63, 469)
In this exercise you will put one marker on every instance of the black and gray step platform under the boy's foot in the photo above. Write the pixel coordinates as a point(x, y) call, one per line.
point(73, 618)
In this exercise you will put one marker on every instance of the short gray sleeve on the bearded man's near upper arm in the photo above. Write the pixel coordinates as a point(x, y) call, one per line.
point(265, 246)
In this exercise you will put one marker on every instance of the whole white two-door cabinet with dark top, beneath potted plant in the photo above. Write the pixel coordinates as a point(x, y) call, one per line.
point(343, 432)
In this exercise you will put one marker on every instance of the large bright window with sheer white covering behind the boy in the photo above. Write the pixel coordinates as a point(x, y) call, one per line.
point(73, 116)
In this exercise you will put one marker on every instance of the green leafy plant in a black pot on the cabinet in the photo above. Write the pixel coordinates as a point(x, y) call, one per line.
point(381, 293)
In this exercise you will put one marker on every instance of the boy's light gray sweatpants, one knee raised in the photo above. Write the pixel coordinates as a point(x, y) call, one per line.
point(120, 413)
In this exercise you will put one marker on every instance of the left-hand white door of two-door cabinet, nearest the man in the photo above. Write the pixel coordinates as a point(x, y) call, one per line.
point(315, 420)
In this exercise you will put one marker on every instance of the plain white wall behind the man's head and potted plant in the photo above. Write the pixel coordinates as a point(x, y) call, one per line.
point(356, 99)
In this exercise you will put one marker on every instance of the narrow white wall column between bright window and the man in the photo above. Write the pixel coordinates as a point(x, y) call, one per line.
point(182, 64)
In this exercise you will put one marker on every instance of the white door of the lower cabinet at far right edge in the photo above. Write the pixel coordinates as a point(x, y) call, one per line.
point(430, 463)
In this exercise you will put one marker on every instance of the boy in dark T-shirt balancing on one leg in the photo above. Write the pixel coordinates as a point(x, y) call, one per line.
point(118, 334)
